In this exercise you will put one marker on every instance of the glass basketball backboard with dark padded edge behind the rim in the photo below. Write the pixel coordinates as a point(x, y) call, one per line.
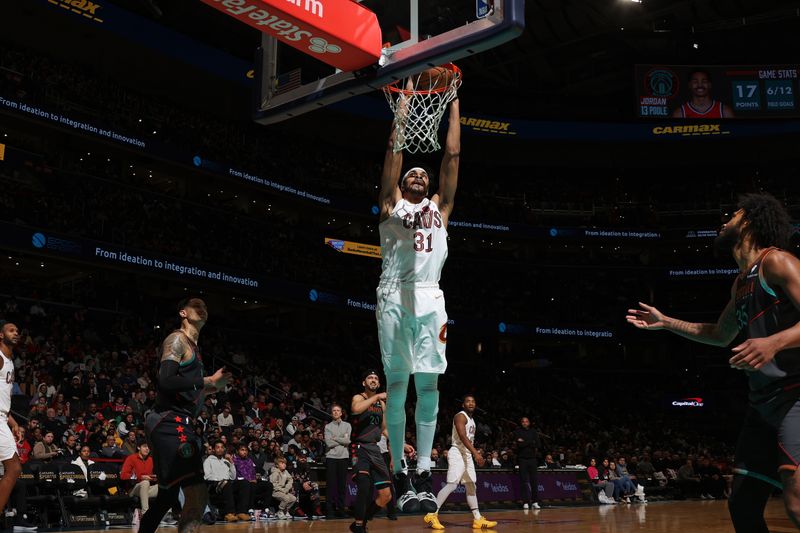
point(417, 34)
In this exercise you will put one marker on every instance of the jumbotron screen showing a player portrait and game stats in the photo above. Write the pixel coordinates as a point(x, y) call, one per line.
point(714, 92)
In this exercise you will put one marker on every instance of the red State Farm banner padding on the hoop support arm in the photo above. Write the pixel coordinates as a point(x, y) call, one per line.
point(341, 33)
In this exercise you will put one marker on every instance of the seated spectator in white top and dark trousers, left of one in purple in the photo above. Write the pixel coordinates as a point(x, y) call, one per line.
point(220, 474)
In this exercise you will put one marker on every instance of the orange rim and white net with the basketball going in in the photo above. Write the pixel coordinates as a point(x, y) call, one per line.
point(418, 103)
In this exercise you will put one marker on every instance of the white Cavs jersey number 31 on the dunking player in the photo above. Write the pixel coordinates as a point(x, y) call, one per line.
point(413, 243)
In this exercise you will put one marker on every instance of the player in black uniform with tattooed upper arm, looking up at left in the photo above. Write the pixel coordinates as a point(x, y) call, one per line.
point(177, 450)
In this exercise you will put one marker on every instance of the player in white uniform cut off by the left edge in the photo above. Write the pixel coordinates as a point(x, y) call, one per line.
point(9, 338)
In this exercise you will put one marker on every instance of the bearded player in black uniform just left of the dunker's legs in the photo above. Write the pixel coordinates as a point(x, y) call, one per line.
point(369, 467)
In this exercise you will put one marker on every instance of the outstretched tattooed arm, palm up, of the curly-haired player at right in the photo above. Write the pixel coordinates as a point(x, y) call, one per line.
point(721, 333)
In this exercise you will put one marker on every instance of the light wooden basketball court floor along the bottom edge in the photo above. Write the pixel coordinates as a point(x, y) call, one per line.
point(661, 517)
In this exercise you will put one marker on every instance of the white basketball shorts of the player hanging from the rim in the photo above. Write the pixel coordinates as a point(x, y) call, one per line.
point(412, 327)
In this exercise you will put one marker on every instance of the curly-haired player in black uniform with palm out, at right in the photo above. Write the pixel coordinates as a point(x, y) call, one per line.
point(765, 309)
